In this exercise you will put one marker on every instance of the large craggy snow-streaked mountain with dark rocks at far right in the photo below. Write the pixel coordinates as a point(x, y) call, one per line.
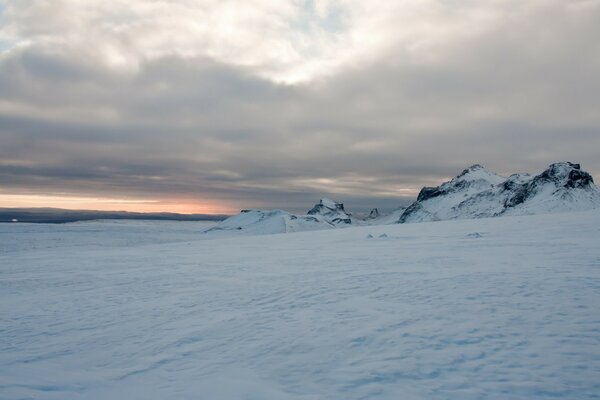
point(477, 193)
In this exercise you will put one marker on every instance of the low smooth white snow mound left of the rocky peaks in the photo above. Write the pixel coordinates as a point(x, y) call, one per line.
point(261, 222)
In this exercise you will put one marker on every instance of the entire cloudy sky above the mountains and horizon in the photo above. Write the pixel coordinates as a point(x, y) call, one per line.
point(211, 106)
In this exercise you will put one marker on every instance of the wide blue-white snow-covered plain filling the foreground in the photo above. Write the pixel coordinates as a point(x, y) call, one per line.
point(501, 308)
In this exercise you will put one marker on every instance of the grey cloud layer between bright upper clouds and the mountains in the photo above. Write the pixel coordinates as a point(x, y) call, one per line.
point(515, 98)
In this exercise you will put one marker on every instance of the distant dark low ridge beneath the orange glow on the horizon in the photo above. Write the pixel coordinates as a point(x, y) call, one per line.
point(60, 216)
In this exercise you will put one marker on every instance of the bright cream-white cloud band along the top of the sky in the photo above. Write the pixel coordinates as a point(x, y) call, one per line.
point(287, 41)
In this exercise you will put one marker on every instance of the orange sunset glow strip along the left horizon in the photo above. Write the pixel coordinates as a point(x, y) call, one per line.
point(180, 206)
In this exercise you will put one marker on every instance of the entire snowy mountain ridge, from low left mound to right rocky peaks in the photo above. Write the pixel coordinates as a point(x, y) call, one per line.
point(474, 193)
